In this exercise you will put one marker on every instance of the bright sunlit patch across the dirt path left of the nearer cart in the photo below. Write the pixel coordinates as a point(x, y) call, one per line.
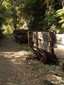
point(16, 57)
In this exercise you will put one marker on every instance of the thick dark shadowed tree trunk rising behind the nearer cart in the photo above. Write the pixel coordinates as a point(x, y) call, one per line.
point(39, 12)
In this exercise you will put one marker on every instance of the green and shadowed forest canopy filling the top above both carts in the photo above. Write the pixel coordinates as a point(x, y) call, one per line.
point(38, 14)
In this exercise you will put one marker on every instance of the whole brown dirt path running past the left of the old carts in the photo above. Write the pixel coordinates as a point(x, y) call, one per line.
point(15, 66)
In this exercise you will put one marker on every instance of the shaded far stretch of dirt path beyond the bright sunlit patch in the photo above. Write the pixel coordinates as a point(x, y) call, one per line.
point(8, 44)
